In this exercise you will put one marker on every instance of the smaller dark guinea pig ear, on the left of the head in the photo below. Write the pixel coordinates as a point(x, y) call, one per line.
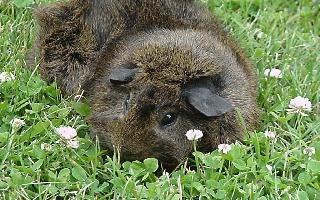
point(123, 75)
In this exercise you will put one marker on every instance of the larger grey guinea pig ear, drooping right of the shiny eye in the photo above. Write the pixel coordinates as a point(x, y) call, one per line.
point(206, 102)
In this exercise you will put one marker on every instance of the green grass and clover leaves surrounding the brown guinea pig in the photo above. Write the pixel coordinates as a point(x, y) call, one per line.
point(275, 34)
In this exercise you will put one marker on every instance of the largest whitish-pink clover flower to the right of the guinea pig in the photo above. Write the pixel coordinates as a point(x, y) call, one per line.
point(299, 105)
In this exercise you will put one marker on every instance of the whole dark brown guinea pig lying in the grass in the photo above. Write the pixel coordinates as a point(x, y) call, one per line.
point(151, 70)
